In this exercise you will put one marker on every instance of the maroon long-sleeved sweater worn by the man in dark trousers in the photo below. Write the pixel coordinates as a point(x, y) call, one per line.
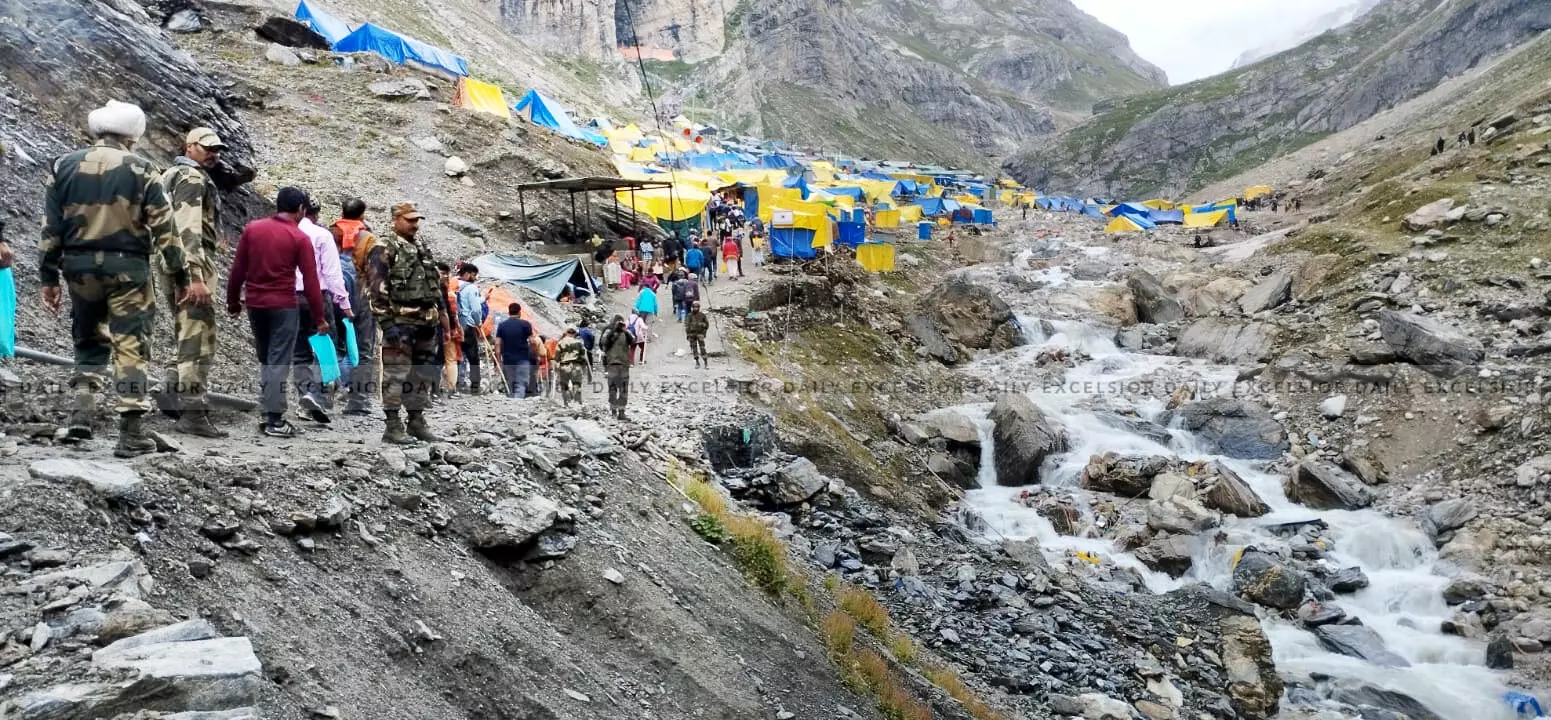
point(269, 255)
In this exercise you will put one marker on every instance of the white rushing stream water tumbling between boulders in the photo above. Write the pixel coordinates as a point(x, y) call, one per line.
point(1403, 603)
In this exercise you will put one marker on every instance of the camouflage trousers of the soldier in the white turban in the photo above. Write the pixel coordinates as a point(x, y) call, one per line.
point(111, 316)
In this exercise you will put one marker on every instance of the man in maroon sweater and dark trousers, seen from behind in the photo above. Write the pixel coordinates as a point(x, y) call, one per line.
point(269, 255)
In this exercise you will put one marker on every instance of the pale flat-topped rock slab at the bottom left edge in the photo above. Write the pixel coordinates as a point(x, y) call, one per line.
point(202, 676)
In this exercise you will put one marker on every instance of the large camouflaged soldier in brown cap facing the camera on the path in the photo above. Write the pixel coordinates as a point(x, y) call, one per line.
point(410, 305)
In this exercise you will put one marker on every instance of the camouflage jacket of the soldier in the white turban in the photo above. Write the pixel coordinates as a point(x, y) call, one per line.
point(106, 199)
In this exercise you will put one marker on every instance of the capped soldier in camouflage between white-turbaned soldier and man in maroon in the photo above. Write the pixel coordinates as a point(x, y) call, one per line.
point(195, 212)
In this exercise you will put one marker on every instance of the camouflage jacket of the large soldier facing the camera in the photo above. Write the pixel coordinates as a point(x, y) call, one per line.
point(402, 285)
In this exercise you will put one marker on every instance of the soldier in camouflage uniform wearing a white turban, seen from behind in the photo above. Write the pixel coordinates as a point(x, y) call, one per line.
point(105, 215)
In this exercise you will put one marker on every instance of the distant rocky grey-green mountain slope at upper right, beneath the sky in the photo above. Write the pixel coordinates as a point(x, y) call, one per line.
point(1181, 139)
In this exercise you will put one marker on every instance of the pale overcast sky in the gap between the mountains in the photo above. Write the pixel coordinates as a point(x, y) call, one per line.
point(1192, 40)
